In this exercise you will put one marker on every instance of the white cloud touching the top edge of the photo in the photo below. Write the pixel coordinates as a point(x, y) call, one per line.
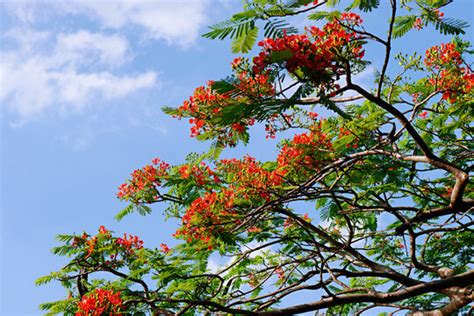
point(177, 22)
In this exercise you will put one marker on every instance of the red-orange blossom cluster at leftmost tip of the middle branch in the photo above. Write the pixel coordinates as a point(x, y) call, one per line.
point(143, 181)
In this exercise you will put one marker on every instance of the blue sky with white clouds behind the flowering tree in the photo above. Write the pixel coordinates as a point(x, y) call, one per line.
point(81, 87)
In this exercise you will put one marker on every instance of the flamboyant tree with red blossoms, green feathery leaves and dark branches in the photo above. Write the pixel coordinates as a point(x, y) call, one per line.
point(367, 207)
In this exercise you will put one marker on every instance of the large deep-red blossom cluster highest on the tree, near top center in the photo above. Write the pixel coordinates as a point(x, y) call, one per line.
point(317, 54)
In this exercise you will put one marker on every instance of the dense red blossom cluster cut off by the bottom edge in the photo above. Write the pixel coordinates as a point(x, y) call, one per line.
point(100, 302)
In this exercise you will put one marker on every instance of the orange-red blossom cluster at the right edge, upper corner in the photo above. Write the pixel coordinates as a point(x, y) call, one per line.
point(449, 77)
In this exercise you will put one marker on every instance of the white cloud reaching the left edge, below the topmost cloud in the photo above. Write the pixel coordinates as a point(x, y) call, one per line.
point(37, 76)
